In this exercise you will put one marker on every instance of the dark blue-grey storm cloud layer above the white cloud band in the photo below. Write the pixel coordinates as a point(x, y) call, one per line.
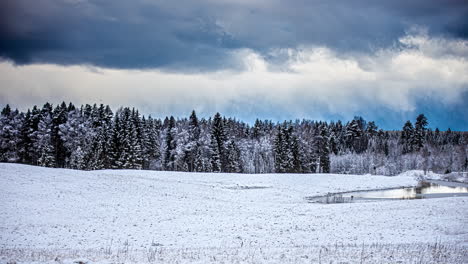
point(201, 34)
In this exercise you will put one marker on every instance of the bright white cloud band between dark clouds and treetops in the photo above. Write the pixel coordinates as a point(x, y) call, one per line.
point(315, 80)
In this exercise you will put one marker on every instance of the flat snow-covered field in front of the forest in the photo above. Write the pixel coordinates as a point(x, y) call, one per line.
point(55, 215)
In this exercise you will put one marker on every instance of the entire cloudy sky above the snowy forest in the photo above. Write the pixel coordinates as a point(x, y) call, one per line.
point(387, 61)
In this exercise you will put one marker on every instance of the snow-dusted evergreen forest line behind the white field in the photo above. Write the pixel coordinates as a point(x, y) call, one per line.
point(92, 137)
